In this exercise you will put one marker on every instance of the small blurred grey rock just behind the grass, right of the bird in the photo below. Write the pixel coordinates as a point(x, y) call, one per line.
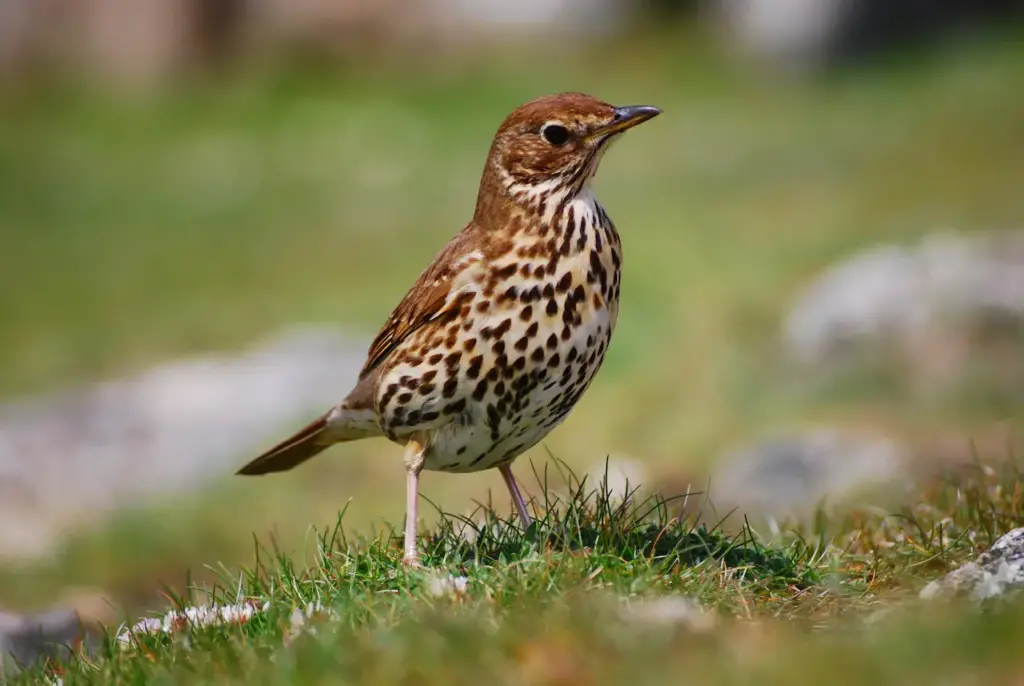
point(790, 477)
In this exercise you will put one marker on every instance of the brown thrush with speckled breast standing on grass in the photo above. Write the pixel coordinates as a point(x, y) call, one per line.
point(504, 331)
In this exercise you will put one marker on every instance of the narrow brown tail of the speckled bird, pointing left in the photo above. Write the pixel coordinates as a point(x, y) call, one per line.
point(335, 426)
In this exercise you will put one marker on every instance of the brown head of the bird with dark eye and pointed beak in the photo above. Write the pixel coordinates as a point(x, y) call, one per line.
point(552, 146)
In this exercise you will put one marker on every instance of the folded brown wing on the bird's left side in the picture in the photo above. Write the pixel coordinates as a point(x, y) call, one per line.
point(428, 301)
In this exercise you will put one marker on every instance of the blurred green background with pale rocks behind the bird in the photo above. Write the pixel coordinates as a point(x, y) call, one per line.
point(208, 207)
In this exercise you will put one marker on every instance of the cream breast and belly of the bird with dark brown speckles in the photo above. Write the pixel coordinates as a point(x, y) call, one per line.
point(533, 330)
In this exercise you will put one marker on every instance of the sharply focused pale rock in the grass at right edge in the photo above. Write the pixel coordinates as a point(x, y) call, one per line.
point(998, 574)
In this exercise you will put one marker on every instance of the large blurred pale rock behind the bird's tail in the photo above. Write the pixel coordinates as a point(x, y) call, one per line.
point(70, 456)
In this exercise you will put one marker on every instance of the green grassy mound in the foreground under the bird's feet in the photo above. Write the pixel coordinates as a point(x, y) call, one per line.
point(594, 593)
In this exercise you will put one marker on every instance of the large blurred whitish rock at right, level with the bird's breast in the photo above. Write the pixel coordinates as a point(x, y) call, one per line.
point(908, 295)
